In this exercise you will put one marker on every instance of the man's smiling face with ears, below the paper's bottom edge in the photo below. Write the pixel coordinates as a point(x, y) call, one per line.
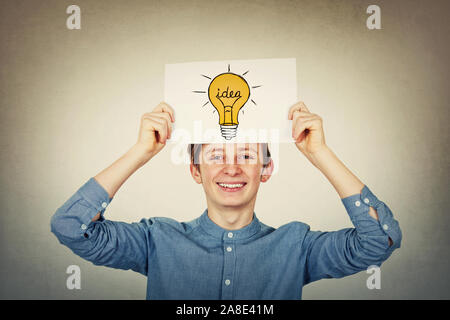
point(231, 174)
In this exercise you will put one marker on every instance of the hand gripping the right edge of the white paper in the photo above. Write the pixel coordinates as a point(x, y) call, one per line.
point(307, 130)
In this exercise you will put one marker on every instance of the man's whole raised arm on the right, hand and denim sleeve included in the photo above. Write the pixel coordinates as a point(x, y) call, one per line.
point(376, 234)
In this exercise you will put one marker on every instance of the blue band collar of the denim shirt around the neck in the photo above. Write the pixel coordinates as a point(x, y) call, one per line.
point(218, 232)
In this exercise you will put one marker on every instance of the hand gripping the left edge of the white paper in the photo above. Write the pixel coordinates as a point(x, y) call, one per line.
point(155, 129)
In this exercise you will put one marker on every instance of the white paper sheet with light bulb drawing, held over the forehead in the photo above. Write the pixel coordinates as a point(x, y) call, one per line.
point(272, 88)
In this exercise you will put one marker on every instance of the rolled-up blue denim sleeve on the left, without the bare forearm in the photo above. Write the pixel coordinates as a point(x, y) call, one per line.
point(103, 242)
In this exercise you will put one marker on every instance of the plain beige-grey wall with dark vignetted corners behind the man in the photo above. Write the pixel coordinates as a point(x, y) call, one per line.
point(71, 101)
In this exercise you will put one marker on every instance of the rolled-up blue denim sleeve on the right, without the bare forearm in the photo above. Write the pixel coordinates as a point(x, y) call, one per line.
point(344, 252)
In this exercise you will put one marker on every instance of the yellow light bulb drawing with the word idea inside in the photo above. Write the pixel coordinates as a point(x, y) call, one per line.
point(228, 93)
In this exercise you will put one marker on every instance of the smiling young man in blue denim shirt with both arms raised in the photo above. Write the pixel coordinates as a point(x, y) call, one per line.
point(227, 253)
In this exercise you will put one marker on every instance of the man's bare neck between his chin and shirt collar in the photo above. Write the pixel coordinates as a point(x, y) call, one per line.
point(231, 218)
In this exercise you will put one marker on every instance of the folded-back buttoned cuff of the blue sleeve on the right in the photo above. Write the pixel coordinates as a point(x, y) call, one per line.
point(358, 205)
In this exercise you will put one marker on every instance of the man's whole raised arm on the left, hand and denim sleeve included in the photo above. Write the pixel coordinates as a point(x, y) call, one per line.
point(79, 222)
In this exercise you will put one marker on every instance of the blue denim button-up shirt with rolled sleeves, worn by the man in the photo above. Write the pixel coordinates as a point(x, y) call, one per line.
point(200, 260)
